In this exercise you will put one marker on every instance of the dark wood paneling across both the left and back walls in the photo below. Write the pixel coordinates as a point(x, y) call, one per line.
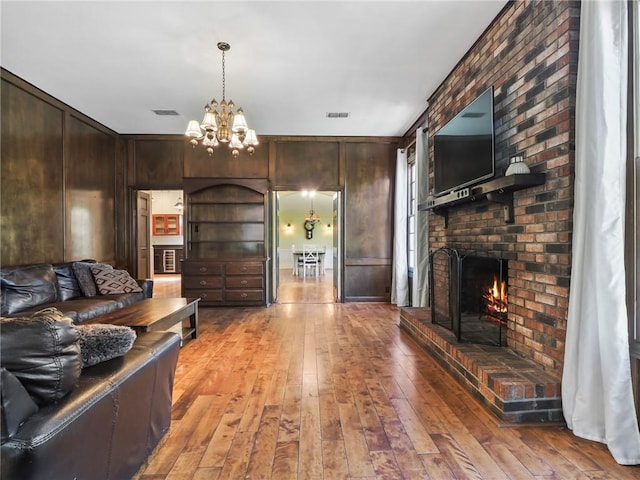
point(68, 185)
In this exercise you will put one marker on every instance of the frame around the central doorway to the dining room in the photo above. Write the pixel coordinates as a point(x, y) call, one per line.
point(338, 239)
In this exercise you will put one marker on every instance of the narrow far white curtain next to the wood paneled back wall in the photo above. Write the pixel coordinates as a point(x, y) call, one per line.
point(400, 276)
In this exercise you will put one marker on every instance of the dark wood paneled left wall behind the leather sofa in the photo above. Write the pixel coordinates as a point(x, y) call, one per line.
point(58, 180)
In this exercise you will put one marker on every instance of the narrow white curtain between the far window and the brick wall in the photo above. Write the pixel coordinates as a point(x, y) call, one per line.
point(421, 271)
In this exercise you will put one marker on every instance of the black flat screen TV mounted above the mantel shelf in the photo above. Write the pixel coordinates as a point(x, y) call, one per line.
point(463, 150)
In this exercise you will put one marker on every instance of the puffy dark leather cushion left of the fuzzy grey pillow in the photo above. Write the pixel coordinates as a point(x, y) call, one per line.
point(43, 352)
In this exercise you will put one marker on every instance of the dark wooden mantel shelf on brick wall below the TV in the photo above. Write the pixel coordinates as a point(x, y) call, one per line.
point(498, 190)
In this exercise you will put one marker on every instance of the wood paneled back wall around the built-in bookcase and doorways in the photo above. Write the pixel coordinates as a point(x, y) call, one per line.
point(363, 168)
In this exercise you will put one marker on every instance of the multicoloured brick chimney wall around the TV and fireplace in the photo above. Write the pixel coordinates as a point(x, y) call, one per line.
point(529, 54)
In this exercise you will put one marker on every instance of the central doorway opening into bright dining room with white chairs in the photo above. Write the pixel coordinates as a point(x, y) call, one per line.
point(311, 218)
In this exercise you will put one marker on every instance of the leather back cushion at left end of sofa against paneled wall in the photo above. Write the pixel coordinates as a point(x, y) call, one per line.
point(27, 286)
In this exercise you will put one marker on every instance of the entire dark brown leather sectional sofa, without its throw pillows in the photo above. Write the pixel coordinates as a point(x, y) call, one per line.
point(63, 421)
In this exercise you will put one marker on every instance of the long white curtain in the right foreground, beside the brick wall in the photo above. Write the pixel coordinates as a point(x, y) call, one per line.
point(597, 392)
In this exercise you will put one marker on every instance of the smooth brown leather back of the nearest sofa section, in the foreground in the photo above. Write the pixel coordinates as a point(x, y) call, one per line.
point(104, 428)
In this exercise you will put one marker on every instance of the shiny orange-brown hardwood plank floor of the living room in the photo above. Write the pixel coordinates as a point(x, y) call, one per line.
point(338, 391)
